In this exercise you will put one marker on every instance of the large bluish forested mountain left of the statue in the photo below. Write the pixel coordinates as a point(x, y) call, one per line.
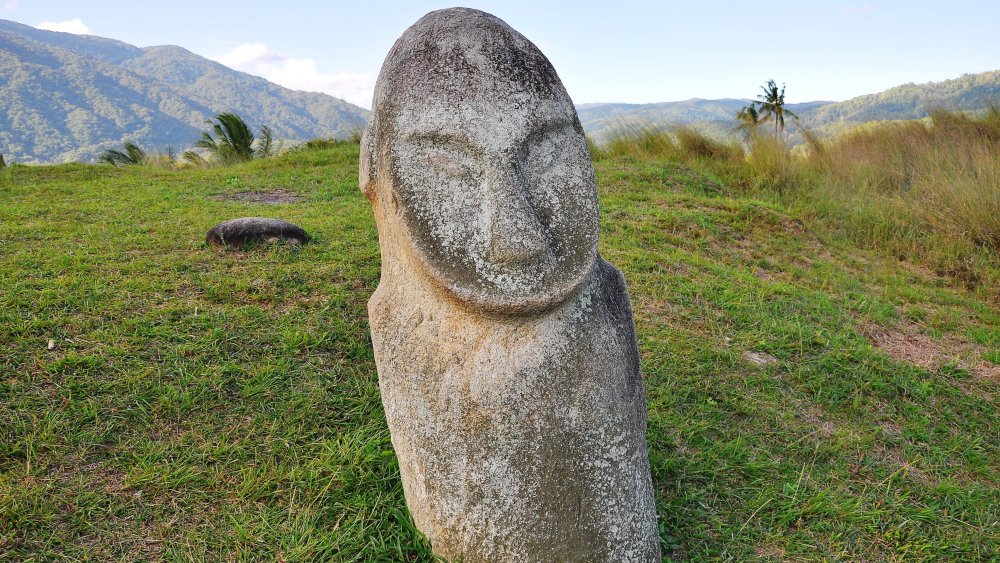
point(68, 97)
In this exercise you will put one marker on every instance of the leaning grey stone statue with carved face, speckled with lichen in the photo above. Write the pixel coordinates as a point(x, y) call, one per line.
point(505, 344)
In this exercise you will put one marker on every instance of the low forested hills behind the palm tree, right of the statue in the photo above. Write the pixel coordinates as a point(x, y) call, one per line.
point(970, 92)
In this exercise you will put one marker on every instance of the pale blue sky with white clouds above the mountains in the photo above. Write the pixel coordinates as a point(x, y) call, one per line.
point(634, 52)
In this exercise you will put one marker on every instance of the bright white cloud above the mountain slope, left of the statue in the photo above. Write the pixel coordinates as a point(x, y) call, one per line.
point(299, 74)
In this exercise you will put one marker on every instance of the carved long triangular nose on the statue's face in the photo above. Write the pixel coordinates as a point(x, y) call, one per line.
point(516, 234)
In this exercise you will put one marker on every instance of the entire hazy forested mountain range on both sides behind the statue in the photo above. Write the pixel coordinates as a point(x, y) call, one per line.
point(66, 97)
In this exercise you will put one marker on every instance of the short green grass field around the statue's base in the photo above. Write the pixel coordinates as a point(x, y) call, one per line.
point(809, 398)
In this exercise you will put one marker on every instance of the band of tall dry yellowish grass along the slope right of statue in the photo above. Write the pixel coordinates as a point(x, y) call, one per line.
point(924, 190)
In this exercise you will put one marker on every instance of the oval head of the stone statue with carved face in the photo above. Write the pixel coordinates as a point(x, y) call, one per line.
point(476, 157)
